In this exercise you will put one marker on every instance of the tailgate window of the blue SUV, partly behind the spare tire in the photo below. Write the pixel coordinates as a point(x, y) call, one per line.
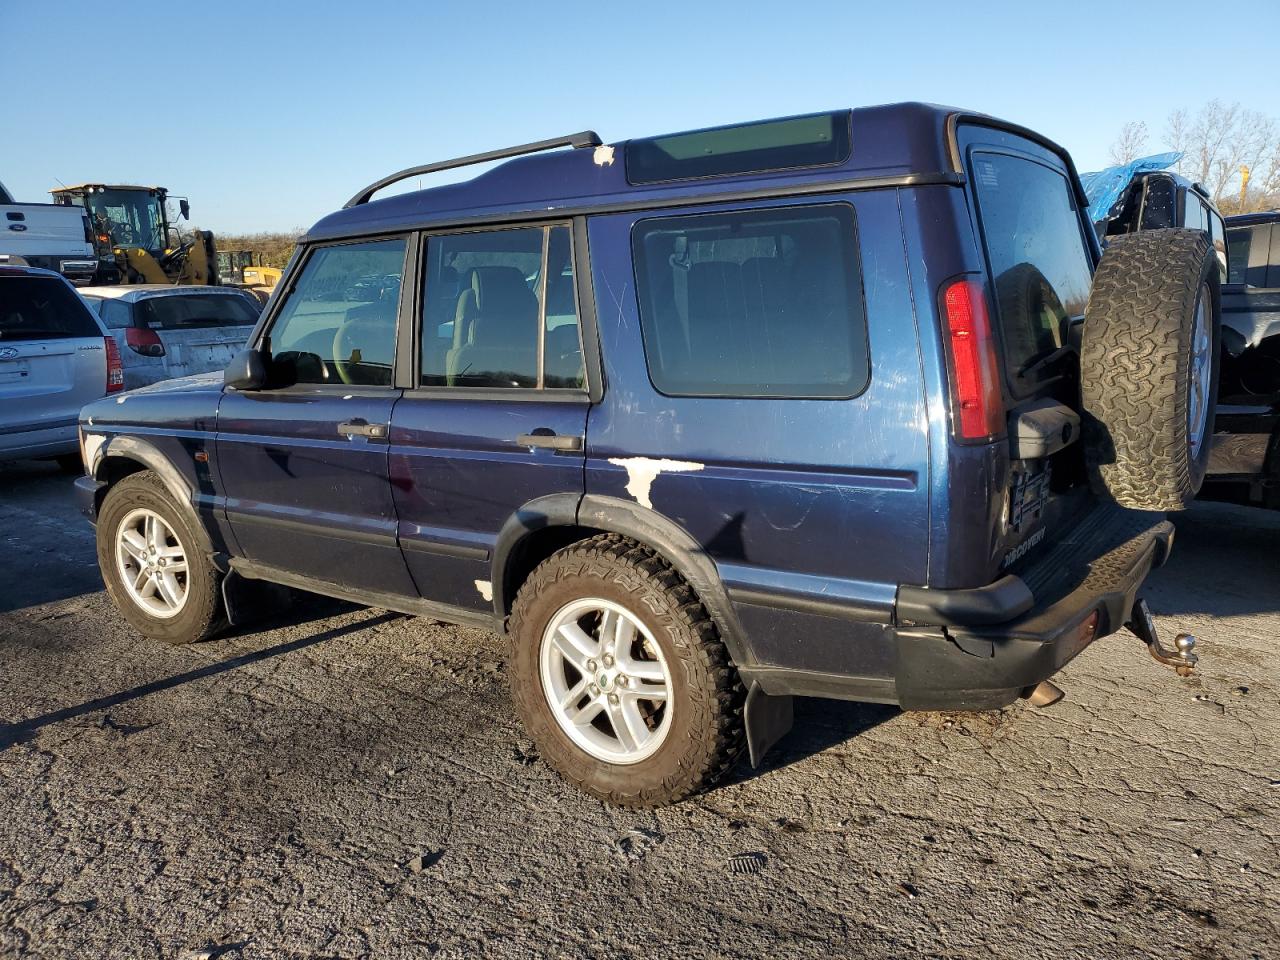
point(1040, 266)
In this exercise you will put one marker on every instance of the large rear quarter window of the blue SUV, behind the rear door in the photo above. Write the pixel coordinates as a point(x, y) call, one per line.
point(753, 304)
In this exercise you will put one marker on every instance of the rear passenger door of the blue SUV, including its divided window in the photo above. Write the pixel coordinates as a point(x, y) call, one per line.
point(499, 414)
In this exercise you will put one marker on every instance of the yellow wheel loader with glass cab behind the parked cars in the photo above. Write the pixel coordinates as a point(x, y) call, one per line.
point(136, 240)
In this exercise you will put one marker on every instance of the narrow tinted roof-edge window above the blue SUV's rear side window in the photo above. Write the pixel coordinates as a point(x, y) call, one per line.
point(723, 152)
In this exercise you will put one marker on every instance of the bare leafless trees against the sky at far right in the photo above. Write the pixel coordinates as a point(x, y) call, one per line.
point(1232, 152)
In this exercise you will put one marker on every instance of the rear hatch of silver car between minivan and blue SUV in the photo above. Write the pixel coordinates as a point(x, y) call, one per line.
point(194, 332)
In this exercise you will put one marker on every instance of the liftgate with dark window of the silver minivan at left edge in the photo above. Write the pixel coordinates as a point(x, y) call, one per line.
point(53, 358)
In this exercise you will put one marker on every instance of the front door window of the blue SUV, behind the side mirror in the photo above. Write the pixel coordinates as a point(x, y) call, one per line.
point(339, 324)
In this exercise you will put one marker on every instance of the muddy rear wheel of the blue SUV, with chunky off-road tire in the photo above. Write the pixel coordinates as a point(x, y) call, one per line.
point(620, 676)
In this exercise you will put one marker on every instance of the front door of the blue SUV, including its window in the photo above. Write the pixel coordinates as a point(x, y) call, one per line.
point(304, 463)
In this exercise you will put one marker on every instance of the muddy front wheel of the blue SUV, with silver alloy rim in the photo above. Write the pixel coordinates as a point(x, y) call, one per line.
point(153, 565)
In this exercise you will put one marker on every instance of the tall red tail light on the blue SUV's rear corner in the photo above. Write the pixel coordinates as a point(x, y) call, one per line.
point(977, 406)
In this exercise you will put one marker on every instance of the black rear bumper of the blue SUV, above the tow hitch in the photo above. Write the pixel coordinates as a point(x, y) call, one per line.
point(984, 665)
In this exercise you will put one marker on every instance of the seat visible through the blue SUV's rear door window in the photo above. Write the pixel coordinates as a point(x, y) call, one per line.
point(495, 331)
